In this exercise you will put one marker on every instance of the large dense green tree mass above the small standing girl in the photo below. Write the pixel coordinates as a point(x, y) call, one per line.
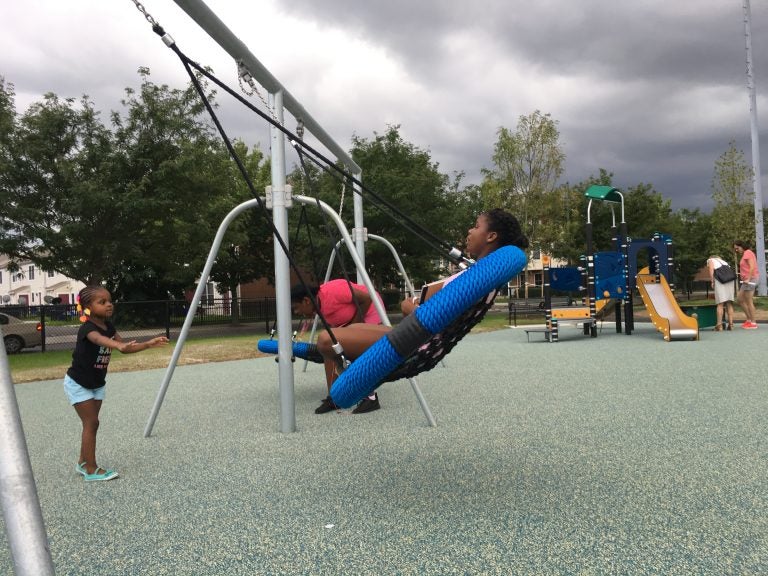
point(135, 206)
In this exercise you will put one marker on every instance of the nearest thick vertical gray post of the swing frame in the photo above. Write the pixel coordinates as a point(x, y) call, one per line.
point(280, 204)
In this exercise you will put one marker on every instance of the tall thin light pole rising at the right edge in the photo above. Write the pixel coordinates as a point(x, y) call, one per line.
point(756, 177)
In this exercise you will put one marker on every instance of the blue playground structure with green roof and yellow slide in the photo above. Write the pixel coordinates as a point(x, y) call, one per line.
point(611, 277)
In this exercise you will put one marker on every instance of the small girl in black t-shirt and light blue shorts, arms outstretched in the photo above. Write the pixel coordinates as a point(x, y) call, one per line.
point(85, 379)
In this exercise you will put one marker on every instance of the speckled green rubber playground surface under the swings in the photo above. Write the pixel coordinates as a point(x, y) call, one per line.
point(615, 455)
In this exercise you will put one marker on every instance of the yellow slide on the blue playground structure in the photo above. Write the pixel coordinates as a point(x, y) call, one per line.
point(666, 315)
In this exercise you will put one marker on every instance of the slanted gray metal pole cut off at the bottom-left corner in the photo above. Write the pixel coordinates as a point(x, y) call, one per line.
point(23, 517)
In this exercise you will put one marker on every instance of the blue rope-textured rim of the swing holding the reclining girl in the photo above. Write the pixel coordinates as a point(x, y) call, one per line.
point(371, 368)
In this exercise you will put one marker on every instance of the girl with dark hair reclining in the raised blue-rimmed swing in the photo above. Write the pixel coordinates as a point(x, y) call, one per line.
point(492, 230)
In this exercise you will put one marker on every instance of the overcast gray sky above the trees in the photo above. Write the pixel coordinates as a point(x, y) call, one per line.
point(651, 90)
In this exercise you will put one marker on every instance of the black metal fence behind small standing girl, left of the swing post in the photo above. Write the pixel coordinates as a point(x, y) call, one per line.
point(214, 317)
